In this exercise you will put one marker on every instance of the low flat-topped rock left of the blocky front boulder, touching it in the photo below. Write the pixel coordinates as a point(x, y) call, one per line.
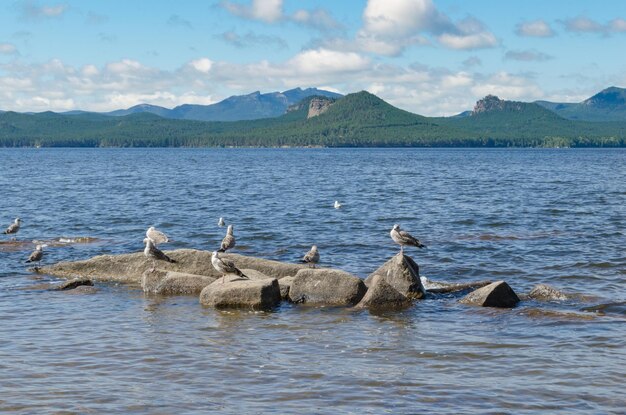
point(173, 283)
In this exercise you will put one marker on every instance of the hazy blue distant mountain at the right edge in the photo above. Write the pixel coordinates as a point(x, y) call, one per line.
point(607, 105)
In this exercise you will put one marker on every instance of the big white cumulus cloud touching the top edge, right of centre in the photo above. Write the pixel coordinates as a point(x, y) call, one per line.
point(390, 26)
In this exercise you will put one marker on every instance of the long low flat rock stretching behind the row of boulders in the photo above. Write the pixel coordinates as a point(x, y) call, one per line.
point(129, 268)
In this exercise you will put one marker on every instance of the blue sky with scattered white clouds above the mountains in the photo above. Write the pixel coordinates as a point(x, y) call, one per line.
point(430, 57)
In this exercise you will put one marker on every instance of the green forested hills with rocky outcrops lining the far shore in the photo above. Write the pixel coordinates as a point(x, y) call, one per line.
point(356, 120)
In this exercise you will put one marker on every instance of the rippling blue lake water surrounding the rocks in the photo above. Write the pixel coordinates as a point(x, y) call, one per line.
point(527, 216)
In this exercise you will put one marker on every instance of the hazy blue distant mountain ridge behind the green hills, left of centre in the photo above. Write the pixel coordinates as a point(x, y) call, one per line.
point(235, 108)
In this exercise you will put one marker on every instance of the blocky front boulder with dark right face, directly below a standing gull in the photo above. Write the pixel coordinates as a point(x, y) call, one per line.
point(236, 292)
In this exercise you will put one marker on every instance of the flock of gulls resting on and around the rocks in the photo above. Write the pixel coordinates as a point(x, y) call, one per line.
point(154, 237)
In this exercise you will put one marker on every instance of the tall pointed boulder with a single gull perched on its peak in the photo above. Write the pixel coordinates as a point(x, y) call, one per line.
point(403, 275)
